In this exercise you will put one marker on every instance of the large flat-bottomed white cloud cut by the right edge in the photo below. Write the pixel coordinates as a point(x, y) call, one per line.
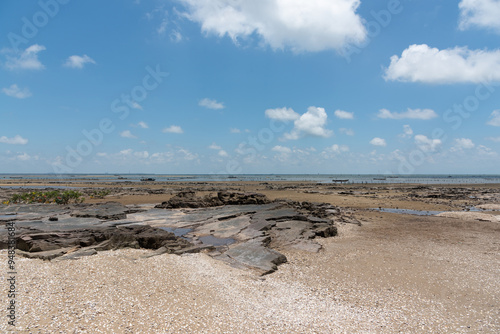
point(420, 63)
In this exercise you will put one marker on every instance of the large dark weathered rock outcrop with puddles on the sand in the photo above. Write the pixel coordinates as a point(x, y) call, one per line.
point(245, 230)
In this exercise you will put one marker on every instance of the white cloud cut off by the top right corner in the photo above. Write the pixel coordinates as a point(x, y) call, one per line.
point(480, 13)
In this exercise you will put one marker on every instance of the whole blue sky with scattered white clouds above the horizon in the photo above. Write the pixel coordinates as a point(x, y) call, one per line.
point(219, 86)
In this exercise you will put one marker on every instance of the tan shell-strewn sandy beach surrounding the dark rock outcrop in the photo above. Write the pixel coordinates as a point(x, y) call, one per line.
point(395, 273)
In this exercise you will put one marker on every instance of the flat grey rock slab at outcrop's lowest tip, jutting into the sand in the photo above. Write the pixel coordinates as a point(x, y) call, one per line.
point(254, 255)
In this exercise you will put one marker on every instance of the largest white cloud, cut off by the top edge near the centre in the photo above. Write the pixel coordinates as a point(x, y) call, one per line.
point(312, 25)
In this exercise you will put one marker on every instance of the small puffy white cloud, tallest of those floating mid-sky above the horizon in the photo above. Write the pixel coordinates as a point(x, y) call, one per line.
point(310, 123)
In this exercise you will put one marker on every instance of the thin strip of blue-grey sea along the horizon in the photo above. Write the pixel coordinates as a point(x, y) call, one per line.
point(320, 178)
